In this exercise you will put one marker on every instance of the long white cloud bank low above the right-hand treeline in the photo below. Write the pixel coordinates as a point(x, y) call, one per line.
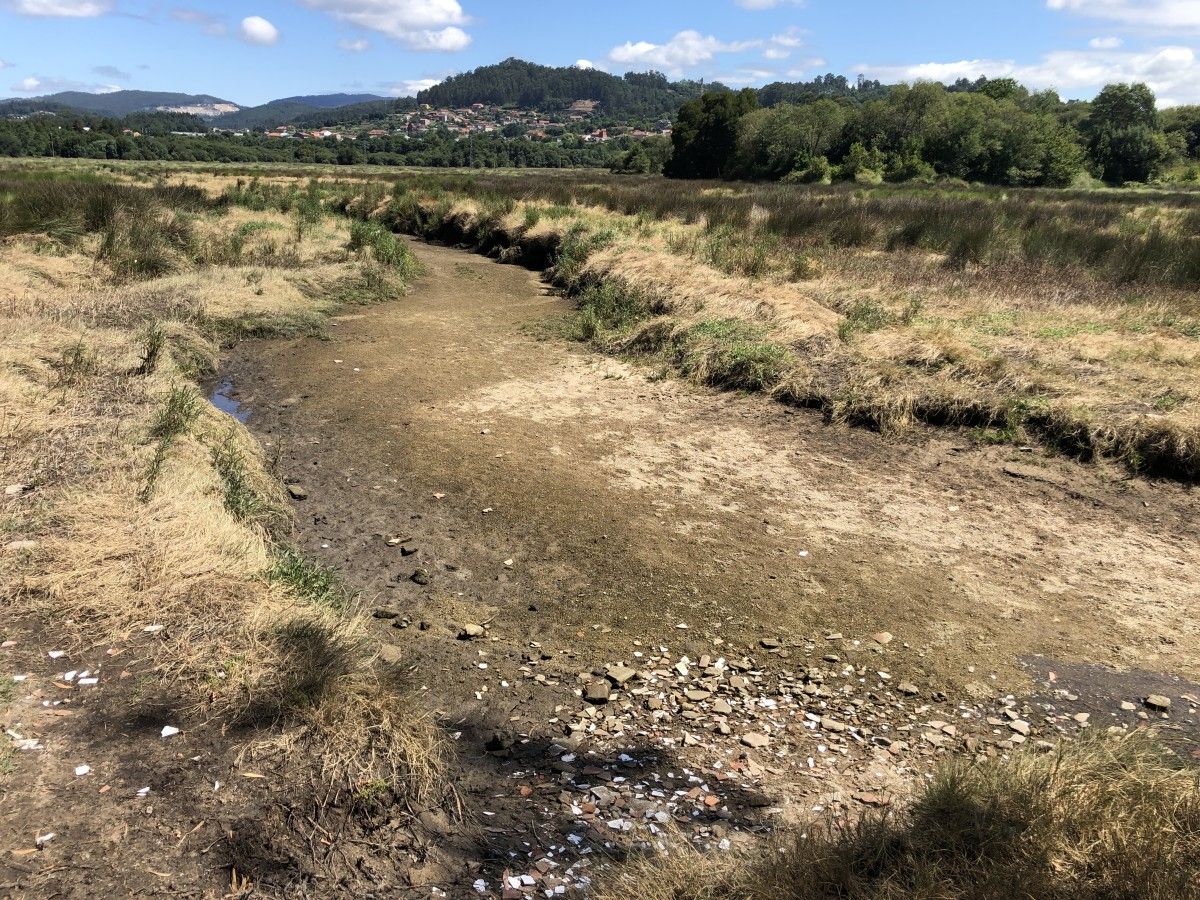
point(1173, 73)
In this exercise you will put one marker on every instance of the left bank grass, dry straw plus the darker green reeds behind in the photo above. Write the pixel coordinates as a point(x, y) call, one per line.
point(153, 508)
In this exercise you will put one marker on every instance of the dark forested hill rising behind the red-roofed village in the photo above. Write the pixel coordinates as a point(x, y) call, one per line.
point(527, 85)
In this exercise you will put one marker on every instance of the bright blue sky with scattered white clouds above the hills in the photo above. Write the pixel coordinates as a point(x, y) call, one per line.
point(250, 53)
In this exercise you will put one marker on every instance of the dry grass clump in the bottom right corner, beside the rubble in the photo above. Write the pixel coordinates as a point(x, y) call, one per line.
point(1108, 818)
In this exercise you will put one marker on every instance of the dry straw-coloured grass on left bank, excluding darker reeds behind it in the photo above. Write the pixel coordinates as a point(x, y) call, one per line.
point(148, 508)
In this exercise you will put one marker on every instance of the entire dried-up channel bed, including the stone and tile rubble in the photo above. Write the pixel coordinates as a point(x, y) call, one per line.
point(741, 560)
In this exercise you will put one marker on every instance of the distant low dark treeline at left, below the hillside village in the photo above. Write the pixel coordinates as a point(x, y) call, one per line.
point(107, 140)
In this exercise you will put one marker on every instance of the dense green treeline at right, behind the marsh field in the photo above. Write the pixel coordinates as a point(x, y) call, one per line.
point(988, 131)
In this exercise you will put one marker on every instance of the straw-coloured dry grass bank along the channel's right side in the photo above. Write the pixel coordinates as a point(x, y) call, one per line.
point(885, 340)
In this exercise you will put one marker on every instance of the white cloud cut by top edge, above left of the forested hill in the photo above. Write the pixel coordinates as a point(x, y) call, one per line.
point(418, 25)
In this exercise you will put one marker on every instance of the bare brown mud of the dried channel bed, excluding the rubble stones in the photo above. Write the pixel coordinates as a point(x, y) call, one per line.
point(585, 512)
